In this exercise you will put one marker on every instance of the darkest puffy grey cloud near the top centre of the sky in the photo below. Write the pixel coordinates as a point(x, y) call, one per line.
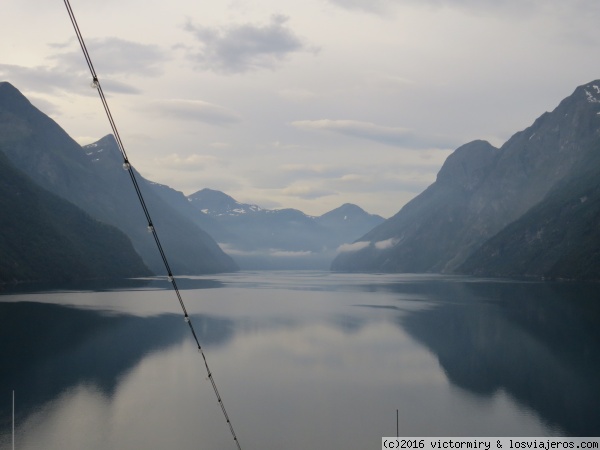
point(246, 47)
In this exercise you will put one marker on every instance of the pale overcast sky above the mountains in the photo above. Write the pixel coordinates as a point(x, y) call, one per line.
point(300, 104)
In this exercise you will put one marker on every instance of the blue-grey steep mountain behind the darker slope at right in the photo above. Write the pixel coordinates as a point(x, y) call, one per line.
point(480, 190)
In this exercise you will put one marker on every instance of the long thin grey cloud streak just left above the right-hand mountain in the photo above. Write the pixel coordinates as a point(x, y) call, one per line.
point(394, 136)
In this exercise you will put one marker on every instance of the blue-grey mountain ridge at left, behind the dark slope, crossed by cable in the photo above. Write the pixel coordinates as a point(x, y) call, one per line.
point(93, 179)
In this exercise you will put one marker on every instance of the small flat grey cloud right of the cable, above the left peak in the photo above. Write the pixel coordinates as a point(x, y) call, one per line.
point(195, 110)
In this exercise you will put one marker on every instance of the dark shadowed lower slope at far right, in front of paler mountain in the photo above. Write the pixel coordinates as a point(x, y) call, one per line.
point(559, 238)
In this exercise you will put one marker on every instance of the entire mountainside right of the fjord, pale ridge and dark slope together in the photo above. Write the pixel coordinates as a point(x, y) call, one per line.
point(482, 193)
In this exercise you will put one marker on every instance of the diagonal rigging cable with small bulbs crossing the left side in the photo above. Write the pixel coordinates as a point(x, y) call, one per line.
point(151, 228)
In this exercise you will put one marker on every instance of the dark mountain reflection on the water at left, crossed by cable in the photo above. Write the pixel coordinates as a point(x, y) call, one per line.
point(48, 348)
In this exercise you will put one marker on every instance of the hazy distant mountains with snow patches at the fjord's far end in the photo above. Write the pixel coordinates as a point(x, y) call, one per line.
point(262, 238)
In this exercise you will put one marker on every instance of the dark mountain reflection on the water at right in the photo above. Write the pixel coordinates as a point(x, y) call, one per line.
point(538, 342)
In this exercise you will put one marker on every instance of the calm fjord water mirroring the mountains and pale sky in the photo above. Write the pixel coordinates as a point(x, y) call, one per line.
point(303, 360)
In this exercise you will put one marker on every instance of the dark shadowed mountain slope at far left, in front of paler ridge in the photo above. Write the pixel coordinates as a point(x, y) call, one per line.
point(46, 238)
